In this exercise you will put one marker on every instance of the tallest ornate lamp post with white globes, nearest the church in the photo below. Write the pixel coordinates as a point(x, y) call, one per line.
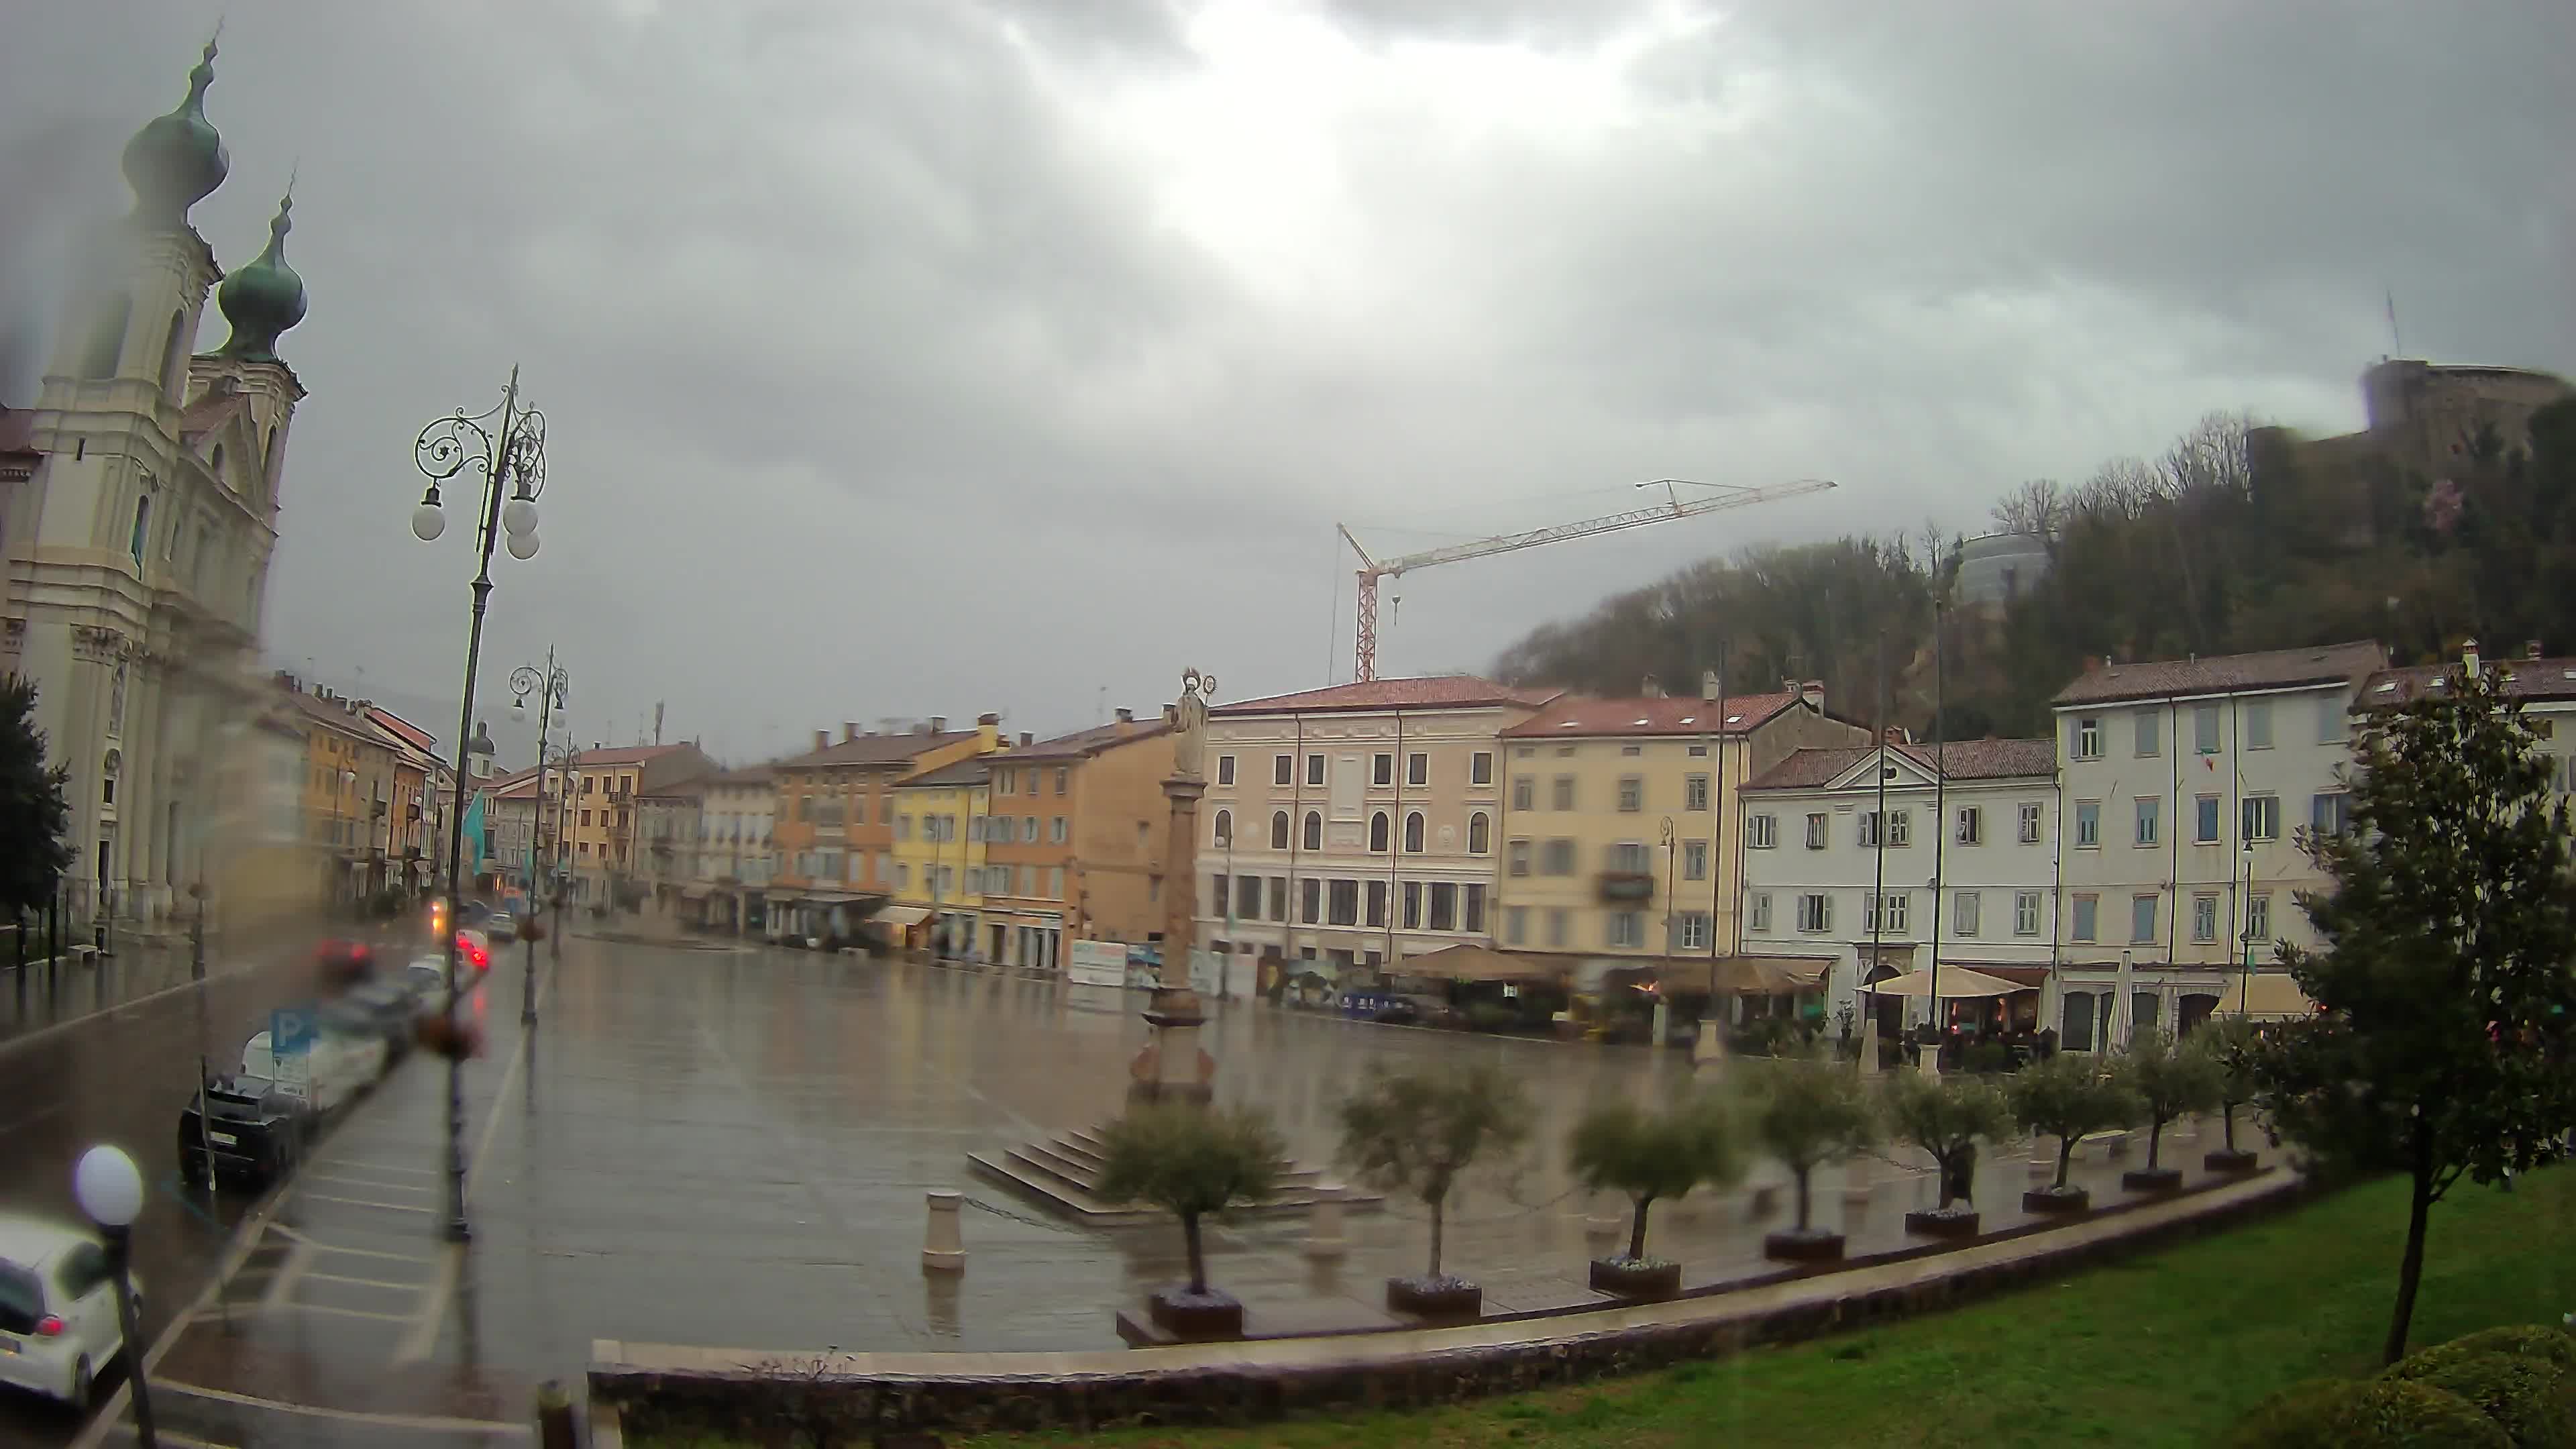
point(509, 450)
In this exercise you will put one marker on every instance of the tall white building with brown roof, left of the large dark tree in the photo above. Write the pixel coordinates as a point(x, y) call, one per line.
point(2183, 790)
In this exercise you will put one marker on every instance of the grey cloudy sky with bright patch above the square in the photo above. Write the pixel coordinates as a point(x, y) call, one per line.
point(931, 357)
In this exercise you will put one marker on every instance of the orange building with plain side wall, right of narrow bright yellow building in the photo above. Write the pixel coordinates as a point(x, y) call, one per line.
point(1073, 847)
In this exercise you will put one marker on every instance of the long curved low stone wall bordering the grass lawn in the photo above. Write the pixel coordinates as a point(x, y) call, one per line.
point(720, 1394)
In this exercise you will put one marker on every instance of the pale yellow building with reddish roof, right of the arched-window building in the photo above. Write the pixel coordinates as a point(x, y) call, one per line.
point(1616, 826)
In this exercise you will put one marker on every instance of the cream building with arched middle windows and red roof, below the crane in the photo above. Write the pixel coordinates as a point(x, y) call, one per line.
point(1359, 824)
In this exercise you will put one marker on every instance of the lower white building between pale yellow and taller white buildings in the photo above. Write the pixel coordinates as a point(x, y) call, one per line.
point(1825, 880)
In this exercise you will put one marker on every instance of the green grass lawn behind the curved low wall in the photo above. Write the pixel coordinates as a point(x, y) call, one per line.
point(2163, 1350)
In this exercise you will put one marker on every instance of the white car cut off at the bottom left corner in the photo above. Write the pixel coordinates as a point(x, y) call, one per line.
point(58, 1308)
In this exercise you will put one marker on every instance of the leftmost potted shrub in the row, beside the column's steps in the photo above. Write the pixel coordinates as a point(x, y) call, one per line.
point(1191, 1162)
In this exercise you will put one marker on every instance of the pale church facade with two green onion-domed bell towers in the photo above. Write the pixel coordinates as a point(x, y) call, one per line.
point(138, 548)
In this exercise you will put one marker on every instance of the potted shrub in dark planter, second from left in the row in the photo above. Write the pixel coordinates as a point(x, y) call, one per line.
point(1421, 1133)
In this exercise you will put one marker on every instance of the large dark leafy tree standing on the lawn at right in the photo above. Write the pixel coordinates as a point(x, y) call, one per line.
point(2443, 978)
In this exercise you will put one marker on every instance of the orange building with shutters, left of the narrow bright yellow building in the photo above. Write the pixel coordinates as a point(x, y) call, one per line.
point(833, 831)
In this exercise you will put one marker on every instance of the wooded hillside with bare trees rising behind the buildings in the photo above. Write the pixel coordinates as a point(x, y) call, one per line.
point(2150, 558)
